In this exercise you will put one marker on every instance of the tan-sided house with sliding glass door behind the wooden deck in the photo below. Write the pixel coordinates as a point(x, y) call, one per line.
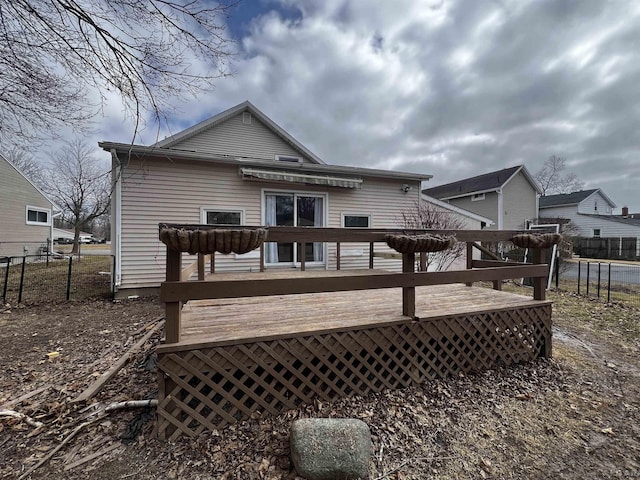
point(240, 168)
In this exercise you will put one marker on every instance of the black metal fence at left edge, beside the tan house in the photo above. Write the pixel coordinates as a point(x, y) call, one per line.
point(41, 278)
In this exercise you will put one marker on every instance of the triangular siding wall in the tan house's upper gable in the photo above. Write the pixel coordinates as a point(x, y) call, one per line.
point(236, 139)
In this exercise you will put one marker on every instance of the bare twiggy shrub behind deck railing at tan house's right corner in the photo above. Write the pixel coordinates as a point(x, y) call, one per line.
point(425, 215)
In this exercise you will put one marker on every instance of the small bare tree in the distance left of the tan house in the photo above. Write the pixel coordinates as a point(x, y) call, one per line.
point(77, 184)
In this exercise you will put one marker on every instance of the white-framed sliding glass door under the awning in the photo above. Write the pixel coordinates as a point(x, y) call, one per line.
point(294, 210)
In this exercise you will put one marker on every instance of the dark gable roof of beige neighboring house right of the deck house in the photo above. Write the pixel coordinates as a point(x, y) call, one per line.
point(487, 182)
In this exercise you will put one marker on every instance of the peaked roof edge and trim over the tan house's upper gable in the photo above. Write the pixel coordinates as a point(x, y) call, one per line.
point(245, 106)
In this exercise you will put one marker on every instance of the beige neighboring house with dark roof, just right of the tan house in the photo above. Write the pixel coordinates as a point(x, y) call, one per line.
point(508, 197)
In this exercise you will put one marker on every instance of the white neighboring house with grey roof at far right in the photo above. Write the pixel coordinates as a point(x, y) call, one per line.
point(591, 215)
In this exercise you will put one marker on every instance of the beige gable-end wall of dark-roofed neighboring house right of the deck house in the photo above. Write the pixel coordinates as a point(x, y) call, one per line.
point(519, 202)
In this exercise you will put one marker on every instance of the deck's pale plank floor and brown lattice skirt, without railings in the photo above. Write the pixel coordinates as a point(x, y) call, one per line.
point(269, 354)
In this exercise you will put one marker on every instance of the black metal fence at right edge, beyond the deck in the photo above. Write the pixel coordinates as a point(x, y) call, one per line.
point(608, 281)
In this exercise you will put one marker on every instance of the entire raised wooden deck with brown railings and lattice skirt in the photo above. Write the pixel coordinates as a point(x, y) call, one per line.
point(237, 344)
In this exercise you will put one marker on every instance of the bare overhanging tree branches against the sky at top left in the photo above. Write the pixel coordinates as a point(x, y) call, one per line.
point(56, 55)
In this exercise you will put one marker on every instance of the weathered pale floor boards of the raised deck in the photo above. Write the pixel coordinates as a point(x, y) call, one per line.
point(249, 319)
